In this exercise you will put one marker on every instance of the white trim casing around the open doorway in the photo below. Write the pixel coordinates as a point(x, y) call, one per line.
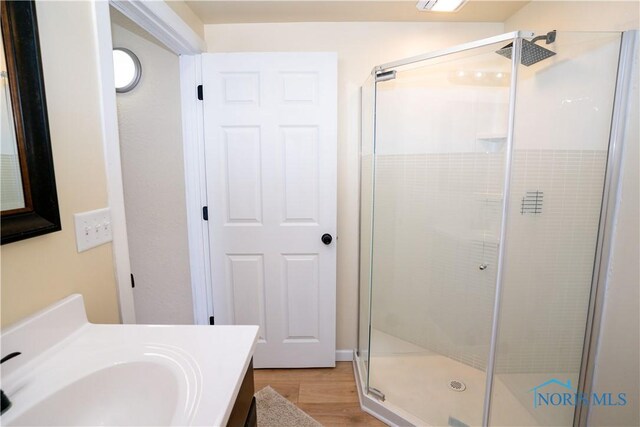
point(163, 23)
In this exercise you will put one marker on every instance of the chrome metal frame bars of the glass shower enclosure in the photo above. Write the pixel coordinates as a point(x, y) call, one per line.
point(629, 43)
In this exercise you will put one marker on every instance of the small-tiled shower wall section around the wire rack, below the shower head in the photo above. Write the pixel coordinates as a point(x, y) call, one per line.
point(550, 260)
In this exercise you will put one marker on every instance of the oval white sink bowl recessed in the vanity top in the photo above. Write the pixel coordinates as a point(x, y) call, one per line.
point(136, 393)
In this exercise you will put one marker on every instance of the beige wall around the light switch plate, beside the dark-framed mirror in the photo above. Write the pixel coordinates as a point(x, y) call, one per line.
point(39, 271)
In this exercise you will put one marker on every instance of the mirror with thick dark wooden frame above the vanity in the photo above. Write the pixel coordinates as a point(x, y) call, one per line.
point(29, 201)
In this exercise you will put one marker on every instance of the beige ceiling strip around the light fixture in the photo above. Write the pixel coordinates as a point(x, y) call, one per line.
point(247, 11)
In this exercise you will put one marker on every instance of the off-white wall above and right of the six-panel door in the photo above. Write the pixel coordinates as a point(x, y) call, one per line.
point(360, 46)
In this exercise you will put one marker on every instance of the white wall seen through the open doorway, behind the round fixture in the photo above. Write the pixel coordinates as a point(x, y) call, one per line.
point(149, 119)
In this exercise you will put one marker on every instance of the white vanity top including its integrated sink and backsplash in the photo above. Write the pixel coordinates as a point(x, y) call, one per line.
point(72, 372)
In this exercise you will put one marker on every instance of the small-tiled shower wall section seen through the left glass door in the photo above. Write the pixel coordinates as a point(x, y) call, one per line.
point(434, 214)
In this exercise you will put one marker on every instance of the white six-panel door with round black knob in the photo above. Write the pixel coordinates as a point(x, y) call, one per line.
point(270, 144)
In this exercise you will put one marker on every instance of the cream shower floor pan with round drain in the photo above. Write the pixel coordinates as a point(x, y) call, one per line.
point(417, 388)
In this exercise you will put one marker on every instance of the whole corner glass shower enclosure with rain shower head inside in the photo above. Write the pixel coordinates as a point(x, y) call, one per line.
point(483, 174)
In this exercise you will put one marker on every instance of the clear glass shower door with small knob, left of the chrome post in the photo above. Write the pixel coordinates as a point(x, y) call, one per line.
point(439, 165)
